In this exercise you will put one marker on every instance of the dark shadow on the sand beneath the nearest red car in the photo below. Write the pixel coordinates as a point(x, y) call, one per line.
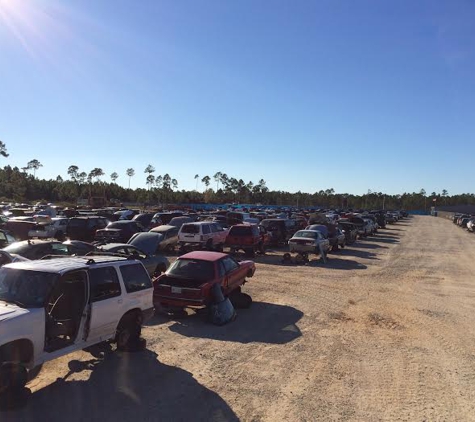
point(261, 323)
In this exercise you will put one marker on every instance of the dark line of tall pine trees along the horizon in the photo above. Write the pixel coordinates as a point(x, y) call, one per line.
point(19, 185)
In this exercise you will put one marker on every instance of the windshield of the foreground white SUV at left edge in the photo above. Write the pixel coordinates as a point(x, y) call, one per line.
point(25, 288)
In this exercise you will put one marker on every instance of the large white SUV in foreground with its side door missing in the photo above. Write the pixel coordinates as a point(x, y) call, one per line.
point(50, 308)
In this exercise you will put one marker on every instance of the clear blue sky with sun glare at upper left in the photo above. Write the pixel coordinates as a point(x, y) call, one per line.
point(308, 95)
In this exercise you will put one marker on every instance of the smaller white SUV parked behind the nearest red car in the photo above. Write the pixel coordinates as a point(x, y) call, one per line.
point(203, 234)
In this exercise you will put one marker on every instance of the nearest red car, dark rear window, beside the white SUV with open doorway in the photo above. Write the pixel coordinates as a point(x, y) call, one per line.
point(188, 281)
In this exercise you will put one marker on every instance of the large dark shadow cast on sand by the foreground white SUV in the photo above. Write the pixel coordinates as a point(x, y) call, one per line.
point(124, 387)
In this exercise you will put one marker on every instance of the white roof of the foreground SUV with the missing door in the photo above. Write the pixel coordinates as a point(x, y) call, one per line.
point(62, 265)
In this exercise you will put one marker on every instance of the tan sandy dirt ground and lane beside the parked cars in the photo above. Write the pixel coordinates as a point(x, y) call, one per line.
point(385, 331)
